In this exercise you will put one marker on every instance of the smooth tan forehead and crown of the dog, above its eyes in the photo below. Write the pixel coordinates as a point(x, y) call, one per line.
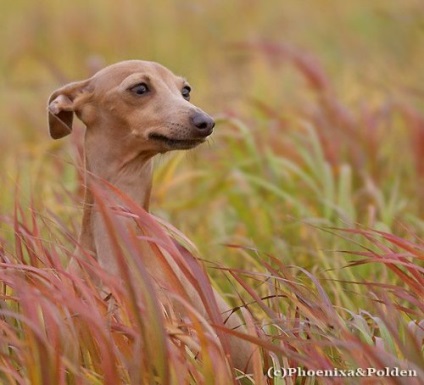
point(115, 74)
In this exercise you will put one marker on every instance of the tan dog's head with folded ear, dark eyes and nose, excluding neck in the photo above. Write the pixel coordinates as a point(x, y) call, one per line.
point(132, 102)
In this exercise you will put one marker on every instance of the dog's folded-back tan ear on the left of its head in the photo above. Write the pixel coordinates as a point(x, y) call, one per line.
point(61, 108)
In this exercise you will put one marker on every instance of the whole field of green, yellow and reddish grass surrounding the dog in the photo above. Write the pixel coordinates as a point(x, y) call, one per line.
point(306, 206)
